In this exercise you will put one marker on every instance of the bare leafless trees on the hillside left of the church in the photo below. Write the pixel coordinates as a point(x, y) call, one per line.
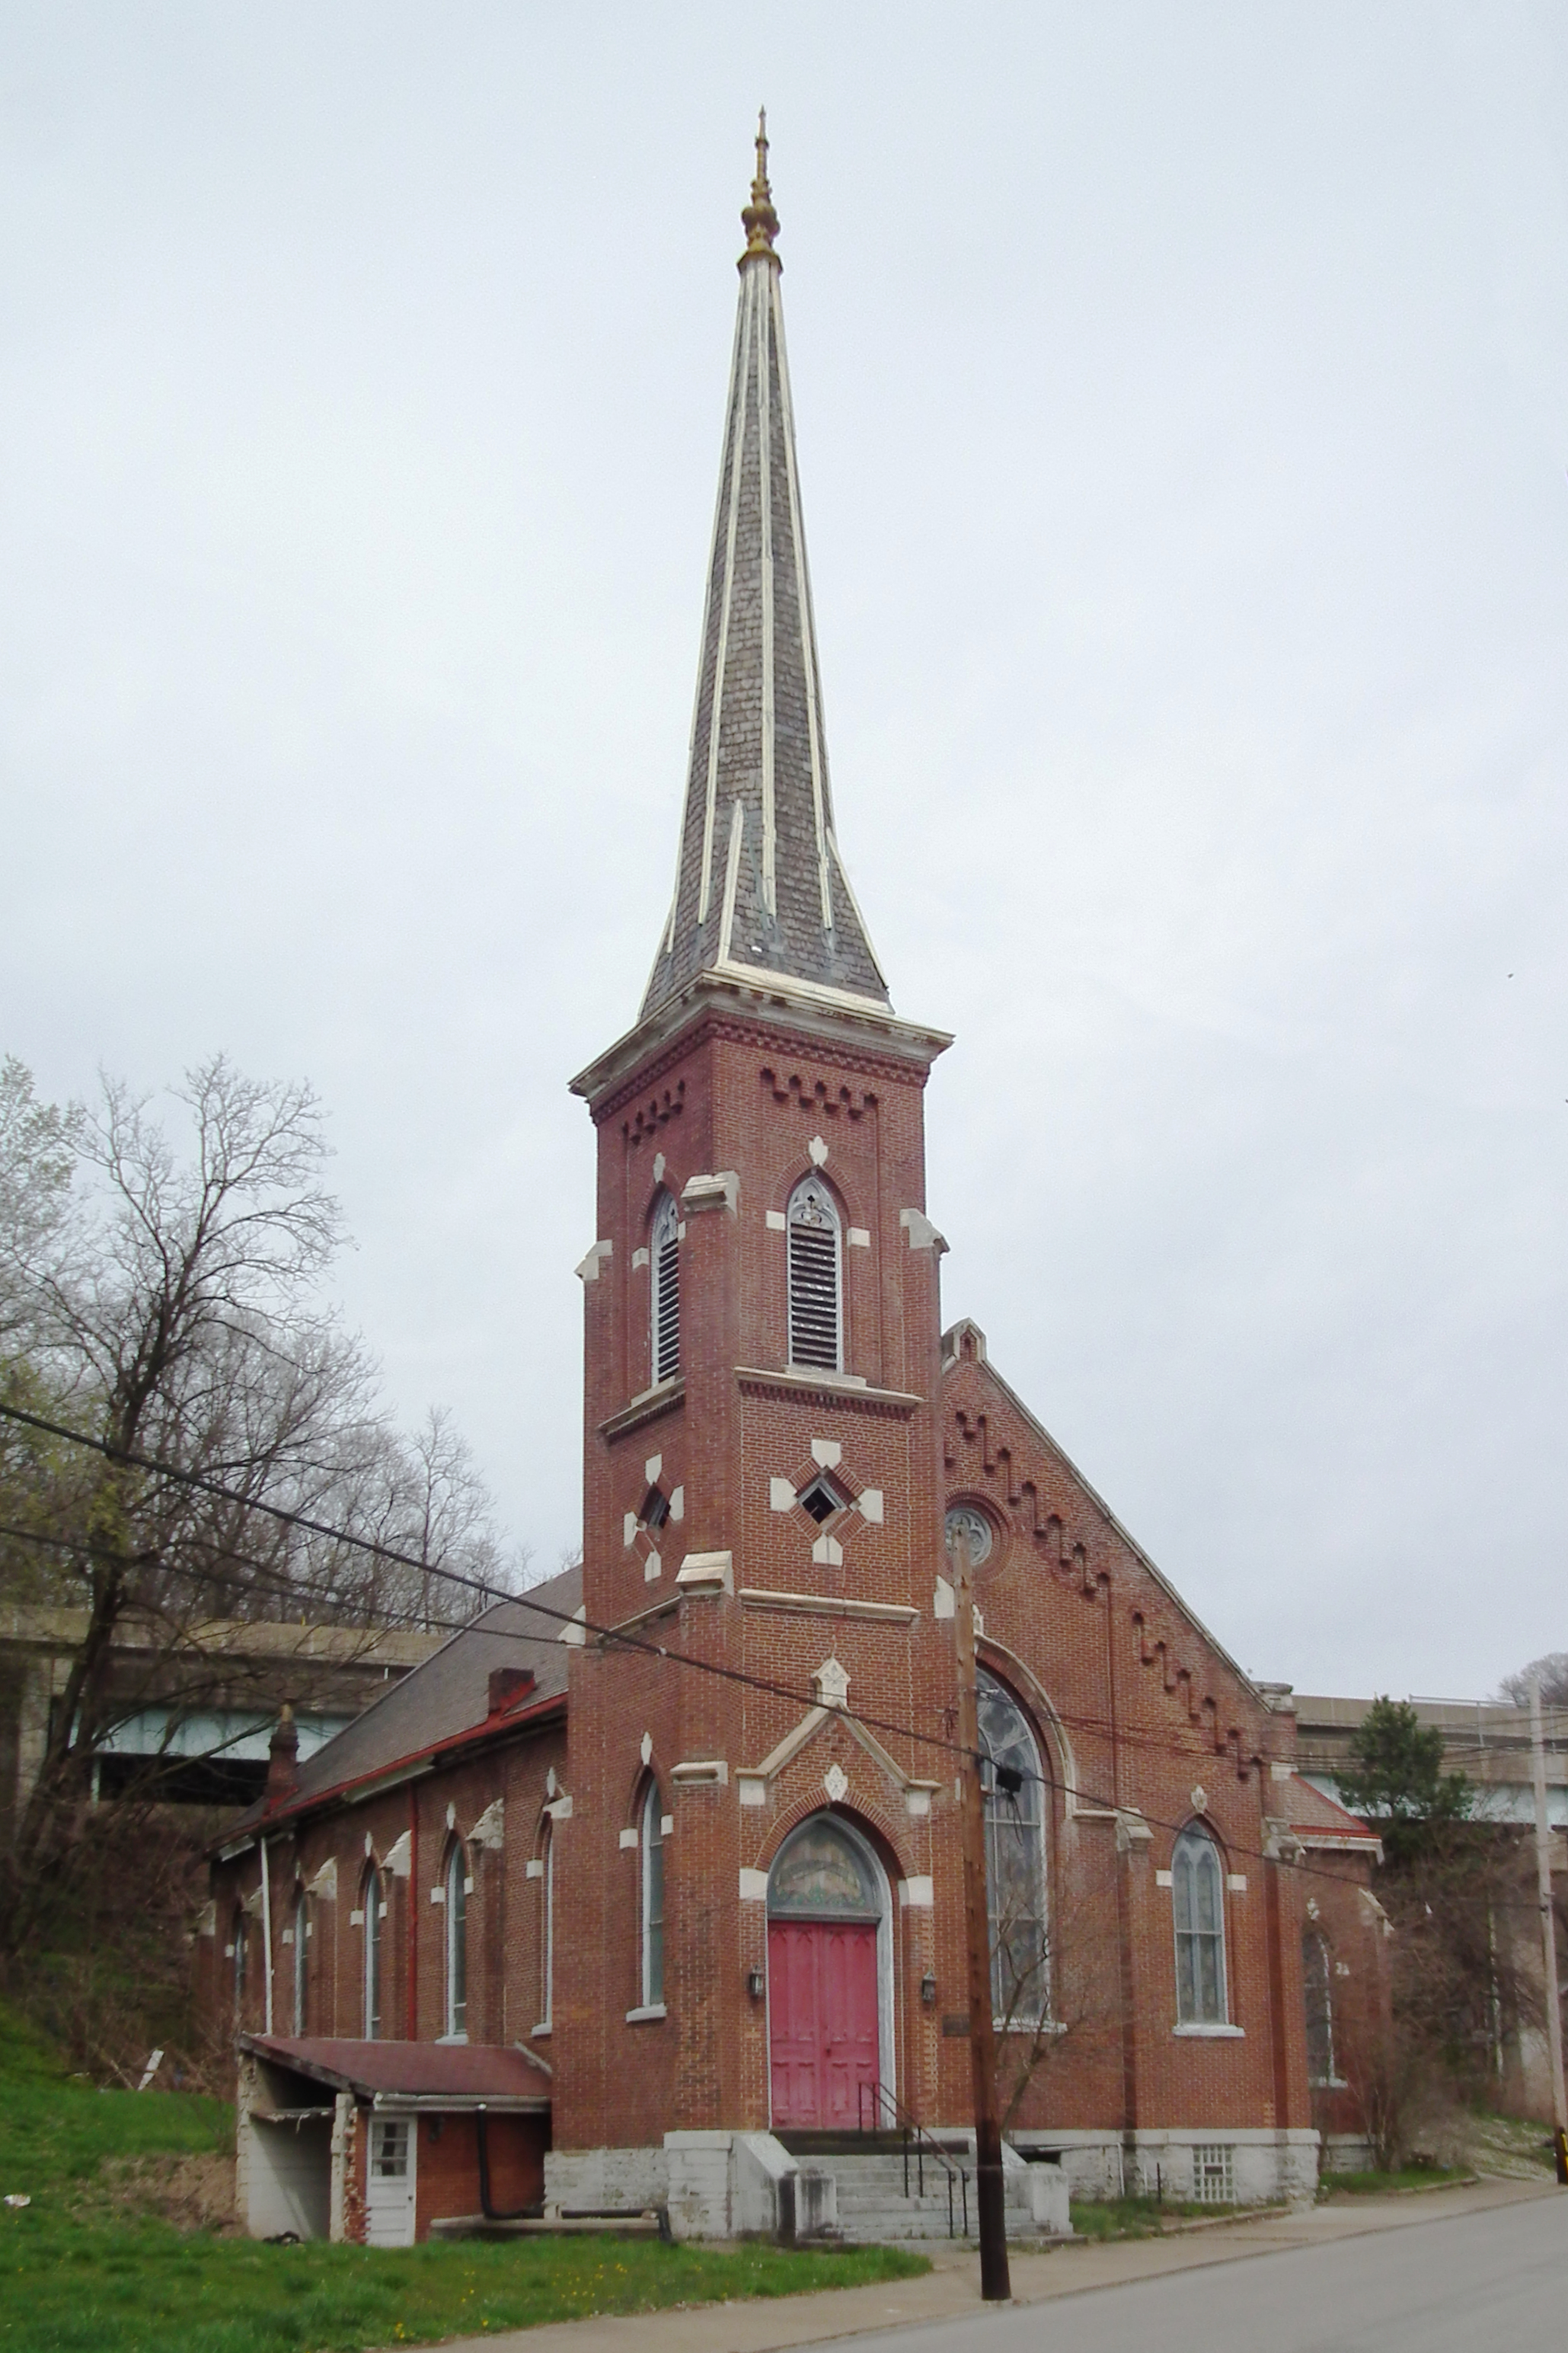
point(168, 1307)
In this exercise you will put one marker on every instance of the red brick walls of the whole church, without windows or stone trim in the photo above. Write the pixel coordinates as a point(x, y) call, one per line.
point(1134, 1707)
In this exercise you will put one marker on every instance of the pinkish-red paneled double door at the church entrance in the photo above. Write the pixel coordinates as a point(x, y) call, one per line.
point(824, 2022)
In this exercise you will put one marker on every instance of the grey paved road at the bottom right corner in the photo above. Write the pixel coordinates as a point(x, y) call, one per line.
point(1466, 2284)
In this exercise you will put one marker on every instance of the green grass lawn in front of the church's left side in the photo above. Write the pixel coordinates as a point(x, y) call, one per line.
point(86, 2274)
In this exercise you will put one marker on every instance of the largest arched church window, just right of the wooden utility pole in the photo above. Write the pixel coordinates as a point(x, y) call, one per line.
point(1014, 1858)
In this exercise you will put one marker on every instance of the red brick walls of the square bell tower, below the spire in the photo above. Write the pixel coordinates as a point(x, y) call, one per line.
point(751, 1102)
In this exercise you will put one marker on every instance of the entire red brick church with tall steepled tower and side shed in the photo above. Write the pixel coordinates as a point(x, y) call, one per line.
point(645, 1891)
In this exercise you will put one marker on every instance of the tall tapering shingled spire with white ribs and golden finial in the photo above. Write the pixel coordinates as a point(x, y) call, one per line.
point(760, 884)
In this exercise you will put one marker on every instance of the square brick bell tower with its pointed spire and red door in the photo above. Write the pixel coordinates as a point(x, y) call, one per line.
point(763, 1472)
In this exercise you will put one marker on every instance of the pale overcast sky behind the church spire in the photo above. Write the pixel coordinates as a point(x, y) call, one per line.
point(1184, 418)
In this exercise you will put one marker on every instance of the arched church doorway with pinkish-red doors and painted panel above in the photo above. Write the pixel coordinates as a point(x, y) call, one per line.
point(829, 1968)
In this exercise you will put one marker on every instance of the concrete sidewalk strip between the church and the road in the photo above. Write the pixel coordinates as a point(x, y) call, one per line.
point(953, 2286)
